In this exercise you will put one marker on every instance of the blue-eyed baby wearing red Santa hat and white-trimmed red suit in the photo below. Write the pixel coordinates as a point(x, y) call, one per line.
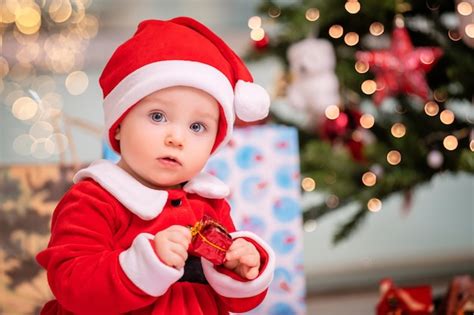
point(120, 236)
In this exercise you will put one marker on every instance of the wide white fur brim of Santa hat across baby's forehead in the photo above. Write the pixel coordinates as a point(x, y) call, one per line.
point(162, 74)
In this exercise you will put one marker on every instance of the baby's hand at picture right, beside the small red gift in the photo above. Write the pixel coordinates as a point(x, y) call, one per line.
point(243, 258)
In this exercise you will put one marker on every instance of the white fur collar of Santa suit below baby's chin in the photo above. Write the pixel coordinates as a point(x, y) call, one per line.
point(145, 202)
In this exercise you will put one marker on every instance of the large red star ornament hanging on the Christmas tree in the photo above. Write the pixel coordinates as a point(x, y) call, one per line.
point(402, 68)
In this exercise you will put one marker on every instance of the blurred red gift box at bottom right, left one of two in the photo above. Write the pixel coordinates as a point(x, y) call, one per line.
point(406, 301)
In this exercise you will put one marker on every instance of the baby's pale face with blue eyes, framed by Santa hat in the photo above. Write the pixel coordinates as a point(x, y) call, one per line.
point(167, 137)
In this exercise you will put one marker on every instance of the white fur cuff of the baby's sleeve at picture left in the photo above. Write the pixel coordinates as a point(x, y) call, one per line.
point(145, 269)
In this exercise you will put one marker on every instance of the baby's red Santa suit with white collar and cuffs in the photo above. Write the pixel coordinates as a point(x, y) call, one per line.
point(100, 259)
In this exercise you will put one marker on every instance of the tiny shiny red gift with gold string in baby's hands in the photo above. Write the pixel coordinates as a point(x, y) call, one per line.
point(210, 240)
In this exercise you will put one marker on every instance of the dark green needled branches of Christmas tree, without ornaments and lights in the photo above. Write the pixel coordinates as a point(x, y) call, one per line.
point(332, 166)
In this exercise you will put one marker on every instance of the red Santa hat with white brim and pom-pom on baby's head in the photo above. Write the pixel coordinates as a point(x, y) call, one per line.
point(180, 51)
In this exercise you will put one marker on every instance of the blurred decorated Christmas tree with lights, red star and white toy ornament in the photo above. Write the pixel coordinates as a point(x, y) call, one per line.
point(385, 90)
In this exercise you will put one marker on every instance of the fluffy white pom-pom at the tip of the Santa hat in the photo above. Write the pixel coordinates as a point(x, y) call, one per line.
point(251, 101)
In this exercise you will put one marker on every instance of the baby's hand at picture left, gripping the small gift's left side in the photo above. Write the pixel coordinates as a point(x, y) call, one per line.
point(172, 244)
